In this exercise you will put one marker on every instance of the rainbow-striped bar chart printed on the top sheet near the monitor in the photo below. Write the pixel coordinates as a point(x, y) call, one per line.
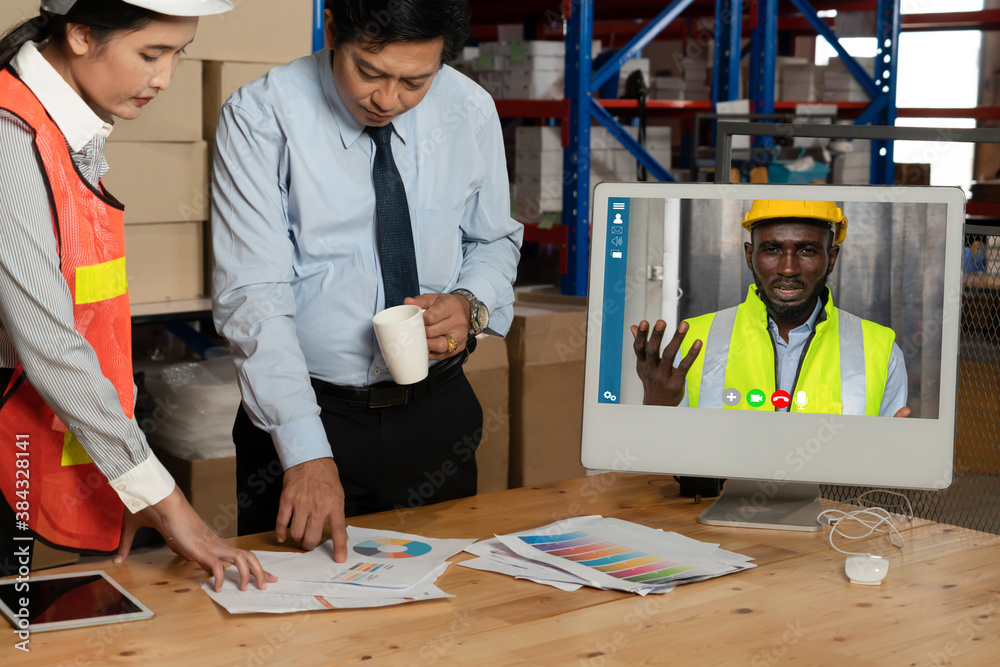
point(613, 559)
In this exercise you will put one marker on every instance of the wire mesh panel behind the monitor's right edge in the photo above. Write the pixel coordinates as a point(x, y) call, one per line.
point(973, 499)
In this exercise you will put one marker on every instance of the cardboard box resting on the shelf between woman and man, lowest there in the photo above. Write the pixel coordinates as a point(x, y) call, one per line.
point(165, 262)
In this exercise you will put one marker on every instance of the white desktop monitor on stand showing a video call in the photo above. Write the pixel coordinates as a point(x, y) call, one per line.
point(677, 251)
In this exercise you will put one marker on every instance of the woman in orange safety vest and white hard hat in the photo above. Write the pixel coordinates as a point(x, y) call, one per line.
point(75, 470)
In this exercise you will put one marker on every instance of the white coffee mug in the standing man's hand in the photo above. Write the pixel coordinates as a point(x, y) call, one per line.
point(403, 339)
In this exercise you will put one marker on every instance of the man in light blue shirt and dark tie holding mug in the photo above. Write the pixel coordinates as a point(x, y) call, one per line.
point(300, 197)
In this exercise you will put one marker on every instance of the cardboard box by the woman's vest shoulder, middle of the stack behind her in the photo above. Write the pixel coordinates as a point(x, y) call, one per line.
point(159, 182)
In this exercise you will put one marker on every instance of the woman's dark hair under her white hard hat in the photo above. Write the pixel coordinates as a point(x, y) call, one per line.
point(105, 18)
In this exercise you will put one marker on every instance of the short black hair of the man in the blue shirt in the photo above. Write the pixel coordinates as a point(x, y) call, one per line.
point(374, 24)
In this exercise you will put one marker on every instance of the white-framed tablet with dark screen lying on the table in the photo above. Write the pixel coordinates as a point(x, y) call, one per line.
point(62, 601)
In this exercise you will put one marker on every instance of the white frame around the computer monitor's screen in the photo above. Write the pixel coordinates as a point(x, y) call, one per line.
point(911, 453)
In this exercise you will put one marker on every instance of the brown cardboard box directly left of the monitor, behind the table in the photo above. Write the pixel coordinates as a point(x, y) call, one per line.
point(546, 347)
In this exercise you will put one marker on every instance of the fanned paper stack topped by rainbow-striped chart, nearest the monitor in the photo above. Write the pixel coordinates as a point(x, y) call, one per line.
point(604, 553)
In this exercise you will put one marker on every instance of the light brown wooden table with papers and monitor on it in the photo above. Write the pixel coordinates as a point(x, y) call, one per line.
point(939, 605)
